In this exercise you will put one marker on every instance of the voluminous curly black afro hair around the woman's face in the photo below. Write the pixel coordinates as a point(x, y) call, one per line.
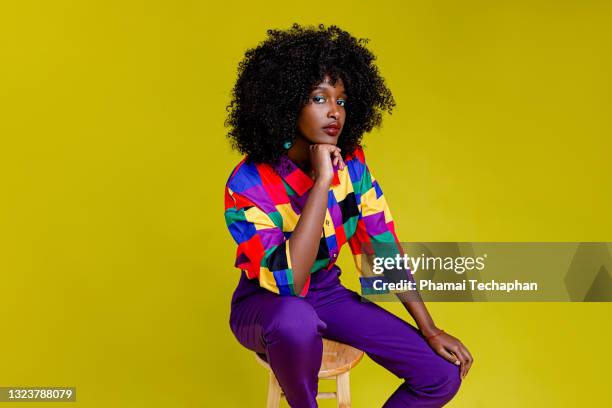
point(276, 77)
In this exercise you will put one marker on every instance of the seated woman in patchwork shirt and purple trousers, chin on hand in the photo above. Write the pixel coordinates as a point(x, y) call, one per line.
point(302, 102)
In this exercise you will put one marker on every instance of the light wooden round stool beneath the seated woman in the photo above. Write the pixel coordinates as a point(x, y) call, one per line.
point(338, 359)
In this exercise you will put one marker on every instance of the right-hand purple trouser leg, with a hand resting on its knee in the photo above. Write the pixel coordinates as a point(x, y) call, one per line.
point(429, 379)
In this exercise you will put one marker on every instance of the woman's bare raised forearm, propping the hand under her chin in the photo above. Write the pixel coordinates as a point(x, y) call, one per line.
point(305, 239)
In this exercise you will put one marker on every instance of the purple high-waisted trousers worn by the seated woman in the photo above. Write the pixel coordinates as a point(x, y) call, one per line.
point(287, 331)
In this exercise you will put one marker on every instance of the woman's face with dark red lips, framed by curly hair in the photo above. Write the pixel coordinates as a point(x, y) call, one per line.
point(321, 120)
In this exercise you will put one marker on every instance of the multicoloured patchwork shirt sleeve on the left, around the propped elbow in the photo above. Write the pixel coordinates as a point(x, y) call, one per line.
point(263, 250)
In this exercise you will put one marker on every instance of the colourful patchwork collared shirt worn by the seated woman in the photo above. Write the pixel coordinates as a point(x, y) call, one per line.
point(262, 207)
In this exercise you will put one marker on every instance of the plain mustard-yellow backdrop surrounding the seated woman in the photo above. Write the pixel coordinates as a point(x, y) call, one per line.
point(116, 264)
